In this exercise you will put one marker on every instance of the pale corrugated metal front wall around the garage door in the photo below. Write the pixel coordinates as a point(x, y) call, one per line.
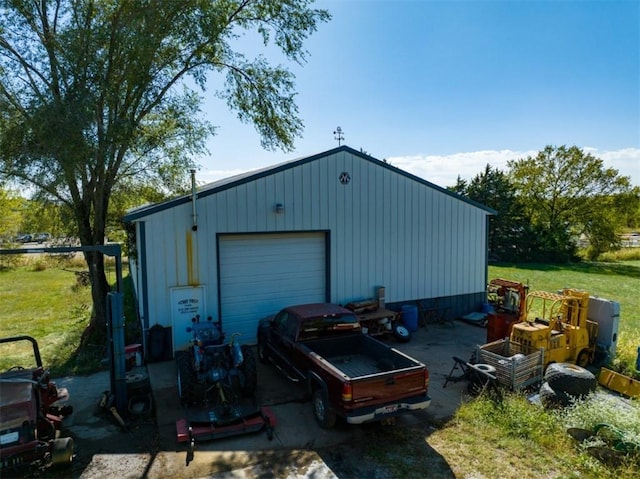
point(386, 229)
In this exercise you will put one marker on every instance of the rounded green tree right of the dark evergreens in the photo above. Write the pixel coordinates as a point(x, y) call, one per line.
point(567, 193)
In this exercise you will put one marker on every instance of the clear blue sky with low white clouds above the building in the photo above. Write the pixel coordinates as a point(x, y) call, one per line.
point(441, 88)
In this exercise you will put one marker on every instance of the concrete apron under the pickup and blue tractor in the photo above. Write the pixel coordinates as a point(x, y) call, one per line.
point(296, 434)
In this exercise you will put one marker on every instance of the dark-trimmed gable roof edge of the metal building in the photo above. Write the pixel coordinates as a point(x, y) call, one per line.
point(236, 180)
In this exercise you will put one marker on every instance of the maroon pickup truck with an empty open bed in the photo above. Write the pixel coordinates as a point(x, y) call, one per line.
point(348, 374)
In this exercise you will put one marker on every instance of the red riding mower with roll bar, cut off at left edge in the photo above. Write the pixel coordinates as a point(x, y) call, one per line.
point(31, 412)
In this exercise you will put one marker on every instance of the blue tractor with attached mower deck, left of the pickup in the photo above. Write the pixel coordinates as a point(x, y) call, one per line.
point(216, 384)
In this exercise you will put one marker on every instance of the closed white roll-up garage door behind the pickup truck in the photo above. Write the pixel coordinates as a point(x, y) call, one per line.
point(261, 274)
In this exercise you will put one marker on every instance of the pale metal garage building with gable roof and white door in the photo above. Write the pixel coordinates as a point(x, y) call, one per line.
point(332, 227)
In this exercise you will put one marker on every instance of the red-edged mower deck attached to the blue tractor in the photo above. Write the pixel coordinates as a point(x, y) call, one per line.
point(213, 423)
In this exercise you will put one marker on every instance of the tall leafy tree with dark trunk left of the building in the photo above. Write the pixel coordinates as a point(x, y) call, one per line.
point(93, 92)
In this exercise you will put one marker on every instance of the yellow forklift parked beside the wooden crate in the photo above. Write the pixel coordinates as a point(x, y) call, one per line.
point(558, 324)
